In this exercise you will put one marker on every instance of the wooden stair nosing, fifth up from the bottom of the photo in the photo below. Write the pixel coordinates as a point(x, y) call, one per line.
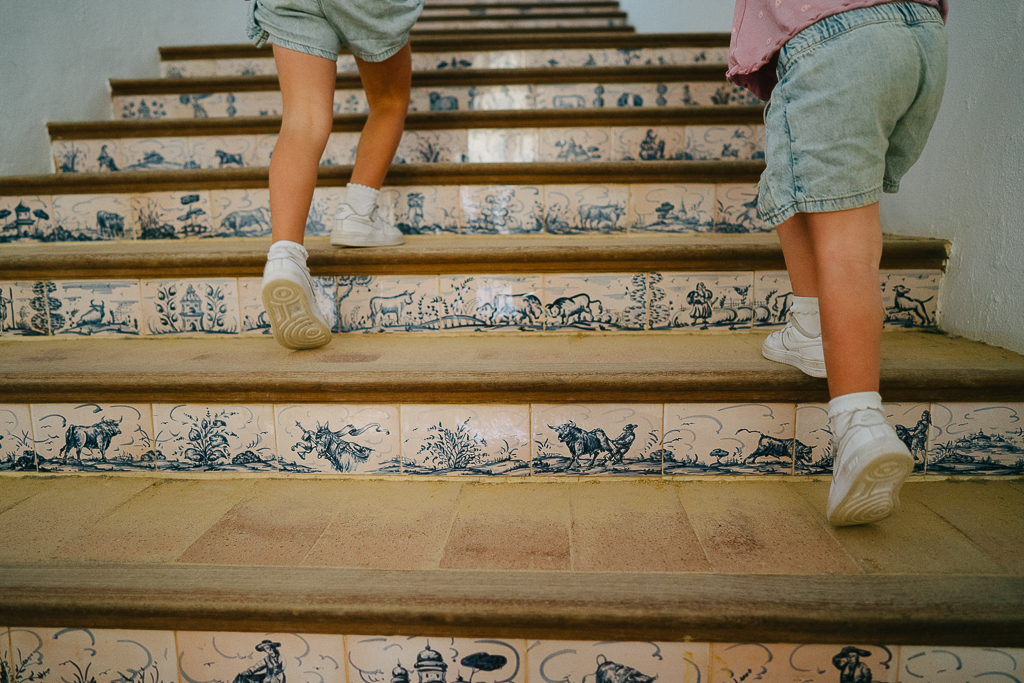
point(676, 116)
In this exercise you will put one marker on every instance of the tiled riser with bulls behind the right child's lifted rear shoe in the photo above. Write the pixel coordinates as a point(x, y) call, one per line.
point(647, 441)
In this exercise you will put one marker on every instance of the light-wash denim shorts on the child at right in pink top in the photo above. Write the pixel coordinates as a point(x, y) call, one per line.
point(857, 98)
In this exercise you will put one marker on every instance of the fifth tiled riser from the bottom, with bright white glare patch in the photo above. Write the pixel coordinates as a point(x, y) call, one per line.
point(743, 143)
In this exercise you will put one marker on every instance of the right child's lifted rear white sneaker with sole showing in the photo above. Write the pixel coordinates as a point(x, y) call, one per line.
point(871, 465)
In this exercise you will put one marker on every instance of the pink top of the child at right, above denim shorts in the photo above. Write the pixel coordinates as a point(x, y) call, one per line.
point(761, 28)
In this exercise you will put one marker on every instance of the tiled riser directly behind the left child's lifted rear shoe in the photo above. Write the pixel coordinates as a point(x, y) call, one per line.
point(695, 303)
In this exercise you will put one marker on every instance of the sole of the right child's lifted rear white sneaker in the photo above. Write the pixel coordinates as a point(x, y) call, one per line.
point(874, 495)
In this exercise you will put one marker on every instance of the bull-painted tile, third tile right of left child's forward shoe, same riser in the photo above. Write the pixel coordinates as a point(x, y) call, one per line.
point(585, 209)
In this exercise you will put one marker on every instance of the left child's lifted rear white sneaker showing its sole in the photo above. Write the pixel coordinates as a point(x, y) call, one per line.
point(296, 319)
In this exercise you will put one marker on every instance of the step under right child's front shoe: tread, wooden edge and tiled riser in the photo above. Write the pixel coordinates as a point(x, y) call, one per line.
point(491, 406)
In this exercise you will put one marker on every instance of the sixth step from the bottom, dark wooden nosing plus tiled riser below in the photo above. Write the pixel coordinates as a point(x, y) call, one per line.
point(519, 90)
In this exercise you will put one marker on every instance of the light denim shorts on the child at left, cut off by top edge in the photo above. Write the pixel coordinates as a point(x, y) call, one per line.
point(373, 30)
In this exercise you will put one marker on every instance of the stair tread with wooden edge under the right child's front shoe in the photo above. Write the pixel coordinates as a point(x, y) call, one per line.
point(494, 368)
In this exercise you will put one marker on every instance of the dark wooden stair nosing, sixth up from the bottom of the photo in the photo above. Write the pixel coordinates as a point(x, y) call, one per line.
point(456, 78)
